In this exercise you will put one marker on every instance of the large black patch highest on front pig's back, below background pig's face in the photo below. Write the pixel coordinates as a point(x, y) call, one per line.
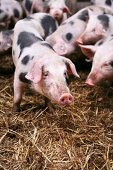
point(49, 25)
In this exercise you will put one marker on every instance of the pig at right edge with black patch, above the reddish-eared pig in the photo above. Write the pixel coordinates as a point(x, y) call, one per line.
point(98, 27)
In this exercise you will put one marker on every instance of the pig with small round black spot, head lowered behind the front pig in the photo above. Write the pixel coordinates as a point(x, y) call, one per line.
point(64, 39)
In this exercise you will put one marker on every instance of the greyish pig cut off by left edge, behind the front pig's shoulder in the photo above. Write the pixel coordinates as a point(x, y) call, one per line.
point(6, 40)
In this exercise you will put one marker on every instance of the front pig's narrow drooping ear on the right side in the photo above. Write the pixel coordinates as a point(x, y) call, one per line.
point(71, 67)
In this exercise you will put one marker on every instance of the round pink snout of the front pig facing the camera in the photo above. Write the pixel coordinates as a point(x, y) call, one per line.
point(66, 99)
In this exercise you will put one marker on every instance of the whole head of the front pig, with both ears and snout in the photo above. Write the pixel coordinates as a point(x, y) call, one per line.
point(46, 79)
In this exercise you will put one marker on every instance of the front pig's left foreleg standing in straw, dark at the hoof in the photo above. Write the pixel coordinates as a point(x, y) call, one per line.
point(18, 91)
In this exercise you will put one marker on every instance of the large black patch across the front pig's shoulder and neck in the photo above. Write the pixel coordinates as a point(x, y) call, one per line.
point(26, 39)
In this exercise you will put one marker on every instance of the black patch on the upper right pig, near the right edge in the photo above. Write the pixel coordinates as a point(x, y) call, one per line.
point(104, 20)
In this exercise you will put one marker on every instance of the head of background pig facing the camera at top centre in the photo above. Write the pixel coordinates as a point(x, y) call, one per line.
point(57, 9)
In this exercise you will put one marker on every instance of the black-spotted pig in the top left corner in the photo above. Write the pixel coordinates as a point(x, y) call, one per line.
point(10, 12)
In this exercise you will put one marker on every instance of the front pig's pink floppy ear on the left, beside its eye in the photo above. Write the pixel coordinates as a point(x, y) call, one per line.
point(35, 73)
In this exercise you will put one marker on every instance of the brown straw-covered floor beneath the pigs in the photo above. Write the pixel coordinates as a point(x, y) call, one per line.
point(79, 137)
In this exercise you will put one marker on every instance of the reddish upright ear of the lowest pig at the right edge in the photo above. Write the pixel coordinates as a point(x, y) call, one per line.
point(88, 50)
